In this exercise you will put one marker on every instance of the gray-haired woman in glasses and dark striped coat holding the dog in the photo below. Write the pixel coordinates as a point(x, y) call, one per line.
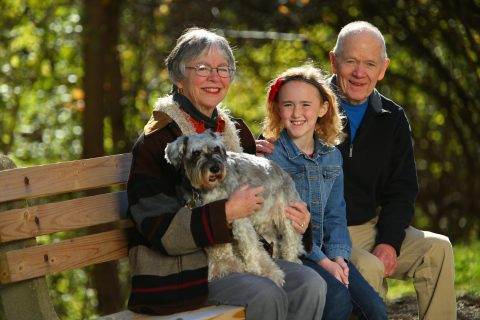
point(169, 266)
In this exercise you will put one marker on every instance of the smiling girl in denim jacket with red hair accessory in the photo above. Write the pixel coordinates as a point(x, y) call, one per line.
point(303, 118)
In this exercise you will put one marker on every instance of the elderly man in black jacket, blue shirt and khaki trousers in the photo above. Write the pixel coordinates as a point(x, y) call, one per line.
point(381, 181)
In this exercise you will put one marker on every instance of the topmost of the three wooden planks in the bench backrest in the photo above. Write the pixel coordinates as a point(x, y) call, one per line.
point(64, 177)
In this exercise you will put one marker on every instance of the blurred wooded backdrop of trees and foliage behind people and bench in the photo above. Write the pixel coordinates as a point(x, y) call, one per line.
point(79, 79)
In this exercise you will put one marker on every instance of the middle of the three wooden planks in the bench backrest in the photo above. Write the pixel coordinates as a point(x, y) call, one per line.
point(62, 216)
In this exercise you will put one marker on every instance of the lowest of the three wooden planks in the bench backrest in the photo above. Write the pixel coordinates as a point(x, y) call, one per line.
point(69, 254)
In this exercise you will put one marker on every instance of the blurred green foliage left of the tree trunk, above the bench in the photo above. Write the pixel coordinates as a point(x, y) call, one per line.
point(41, 68)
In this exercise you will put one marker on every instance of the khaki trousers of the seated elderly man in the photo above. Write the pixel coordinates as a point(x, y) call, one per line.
point(425, 257)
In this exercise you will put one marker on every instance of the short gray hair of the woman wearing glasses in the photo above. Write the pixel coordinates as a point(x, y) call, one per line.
point(192, 44)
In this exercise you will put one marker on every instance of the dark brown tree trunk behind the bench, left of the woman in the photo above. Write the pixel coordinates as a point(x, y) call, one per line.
point(100, 41)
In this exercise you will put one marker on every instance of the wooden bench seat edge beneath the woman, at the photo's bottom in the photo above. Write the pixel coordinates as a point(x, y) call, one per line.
point(212, 313)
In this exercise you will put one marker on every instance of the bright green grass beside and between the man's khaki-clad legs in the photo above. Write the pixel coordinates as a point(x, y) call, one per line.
point(467, 273)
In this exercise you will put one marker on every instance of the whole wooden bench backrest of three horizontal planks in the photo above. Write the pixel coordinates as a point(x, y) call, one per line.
point(47, 218)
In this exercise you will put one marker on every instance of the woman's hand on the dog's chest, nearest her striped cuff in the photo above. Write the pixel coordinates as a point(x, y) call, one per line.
point(244, 201)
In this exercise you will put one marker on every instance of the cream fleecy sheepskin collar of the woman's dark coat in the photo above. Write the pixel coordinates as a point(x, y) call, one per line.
point(167, 110)
